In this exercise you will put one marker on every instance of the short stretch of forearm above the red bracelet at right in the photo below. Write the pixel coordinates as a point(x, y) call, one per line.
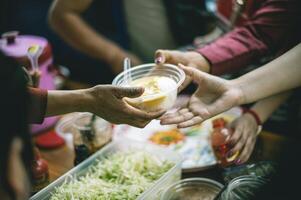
point(265, 107)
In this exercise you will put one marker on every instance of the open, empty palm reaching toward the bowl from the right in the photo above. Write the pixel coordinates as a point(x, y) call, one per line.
point(213, 96)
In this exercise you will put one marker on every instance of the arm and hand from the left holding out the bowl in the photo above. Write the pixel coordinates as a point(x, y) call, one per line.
point(103, 100)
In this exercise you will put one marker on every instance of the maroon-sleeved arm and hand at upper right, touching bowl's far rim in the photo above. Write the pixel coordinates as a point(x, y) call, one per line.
point(267, 27)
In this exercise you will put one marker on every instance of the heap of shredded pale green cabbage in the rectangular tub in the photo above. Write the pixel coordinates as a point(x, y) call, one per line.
point(123, 175)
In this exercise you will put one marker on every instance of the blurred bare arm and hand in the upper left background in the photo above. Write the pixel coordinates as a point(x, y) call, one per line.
point(65, 19)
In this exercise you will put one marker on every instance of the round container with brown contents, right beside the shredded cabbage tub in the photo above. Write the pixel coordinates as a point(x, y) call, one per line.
point(192, 189)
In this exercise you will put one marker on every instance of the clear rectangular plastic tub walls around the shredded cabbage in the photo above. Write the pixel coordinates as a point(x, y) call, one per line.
point(153, 193)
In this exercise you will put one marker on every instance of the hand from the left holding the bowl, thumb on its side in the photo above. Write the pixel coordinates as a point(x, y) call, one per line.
point(107, 102)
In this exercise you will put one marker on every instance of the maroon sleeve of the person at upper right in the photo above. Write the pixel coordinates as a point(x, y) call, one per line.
point(274, 28)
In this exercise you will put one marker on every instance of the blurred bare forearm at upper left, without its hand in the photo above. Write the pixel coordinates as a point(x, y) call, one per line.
point(68, 23)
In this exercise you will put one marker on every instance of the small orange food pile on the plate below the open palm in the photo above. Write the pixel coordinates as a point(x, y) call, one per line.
point(167, 137)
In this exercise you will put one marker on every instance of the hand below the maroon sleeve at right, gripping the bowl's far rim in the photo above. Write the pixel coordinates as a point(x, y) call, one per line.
point(190, 58)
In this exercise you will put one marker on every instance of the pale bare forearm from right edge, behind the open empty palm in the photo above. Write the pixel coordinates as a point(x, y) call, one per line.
point(280, 75)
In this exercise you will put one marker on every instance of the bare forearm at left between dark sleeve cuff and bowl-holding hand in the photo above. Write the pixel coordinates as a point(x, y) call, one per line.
point(62, 102)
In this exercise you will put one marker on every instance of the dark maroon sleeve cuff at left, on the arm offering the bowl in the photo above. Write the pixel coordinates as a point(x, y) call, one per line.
point(38, 103)
